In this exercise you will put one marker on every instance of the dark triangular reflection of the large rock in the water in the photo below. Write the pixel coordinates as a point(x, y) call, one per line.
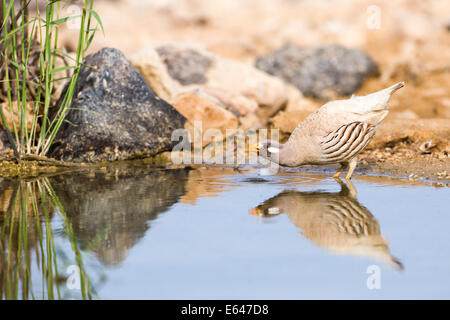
point(110, 210)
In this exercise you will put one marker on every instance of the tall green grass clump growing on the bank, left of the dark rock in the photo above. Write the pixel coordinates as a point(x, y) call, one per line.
point(29, 70)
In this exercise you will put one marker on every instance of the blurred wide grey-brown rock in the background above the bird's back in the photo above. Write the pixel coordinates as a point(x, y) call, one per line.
point(323, 72)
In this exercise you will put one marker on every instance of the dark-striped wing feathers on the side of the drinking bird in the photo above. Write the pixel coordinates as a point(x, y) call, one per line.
point(345, 142)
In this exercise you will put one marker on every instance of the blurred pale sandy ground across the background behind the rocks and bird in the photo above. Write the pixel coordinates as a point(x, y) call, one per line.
point(409, 39)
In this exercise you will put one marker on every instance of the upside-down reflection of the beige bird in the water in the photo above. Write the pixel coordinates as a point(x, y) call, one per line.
point(335, 221)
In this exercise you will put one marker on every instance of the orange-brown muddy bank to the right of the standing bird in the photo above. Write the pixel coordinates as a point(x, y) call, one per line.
point(416, 149)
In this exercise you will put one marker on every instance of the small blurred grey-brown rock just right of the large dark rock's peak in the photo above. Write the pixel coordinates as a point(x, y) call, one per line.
point(185, 65)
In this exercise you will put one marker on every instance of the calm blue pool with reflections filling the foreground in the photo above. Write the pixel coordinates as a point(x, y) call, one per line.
point(217, 233)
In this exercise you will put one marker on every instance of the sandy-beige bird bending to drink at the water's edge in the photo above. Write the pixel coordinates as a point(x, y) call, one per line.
point(334, 134)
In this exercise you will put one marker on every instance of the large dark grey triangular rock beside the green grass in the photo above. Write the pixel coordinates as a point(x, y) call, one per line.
point(114, 114)
